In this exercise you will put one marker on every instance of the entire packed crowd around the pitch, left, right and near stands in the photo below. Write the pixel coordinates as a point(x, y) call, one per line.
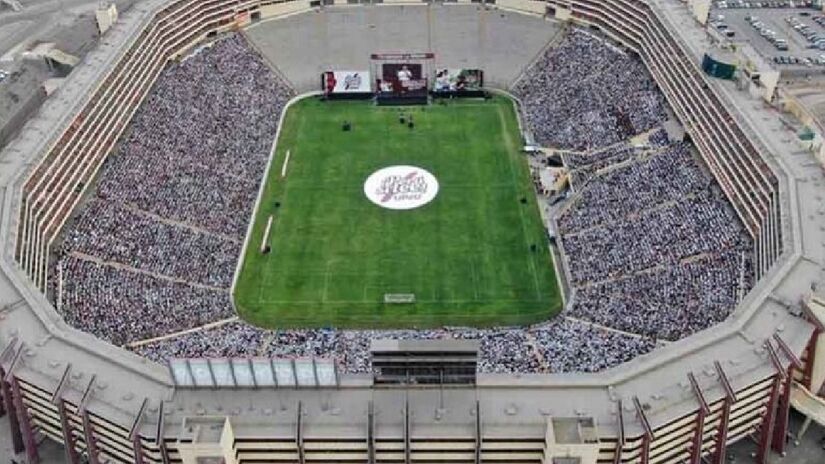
point(148, 261)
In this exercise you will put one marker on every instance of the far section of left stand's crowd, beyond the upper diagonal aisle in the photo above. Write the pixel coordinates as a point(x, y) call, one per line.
point(199, 144)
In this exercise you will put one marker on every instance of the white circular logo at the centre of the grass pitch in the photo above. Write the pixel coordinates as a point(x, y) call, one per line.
point(401, 187)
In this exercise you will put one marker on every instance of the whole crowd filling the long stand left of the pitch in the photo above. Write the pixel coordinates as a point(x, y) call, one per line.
point(154, 251)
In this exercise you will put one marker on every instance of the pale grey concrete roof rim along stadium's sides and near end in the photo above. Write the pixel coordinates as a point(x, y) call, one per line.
point(42, 348)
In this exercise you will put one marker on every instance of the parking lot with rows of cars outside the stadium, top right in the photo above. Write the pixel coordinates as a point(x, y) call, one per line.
point(777, 33)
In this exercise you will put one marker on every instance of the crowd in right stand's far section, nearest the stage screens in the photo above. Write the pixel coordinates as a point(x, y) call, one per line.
point(586, 94)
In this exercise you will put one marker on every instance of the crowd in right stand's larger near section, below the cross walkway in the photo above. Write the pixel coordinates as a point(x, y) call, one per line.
point(656, 226)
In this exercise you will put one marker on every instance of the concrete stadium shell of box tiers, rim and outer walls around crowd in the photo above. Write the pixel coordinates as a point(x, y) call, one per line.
point(681, 403)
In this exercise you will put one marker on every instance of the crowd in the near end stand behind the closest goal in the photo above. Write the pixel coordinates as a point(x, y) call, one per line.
point(558, 346)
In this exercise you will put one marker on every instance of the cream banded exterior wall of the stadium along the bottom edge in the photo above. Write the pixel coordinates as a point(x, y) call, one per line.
point(672, 442)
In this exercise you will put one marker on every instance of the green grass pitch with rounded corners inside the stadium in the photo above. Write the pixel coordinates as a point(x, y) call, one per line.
point(466, 255)
